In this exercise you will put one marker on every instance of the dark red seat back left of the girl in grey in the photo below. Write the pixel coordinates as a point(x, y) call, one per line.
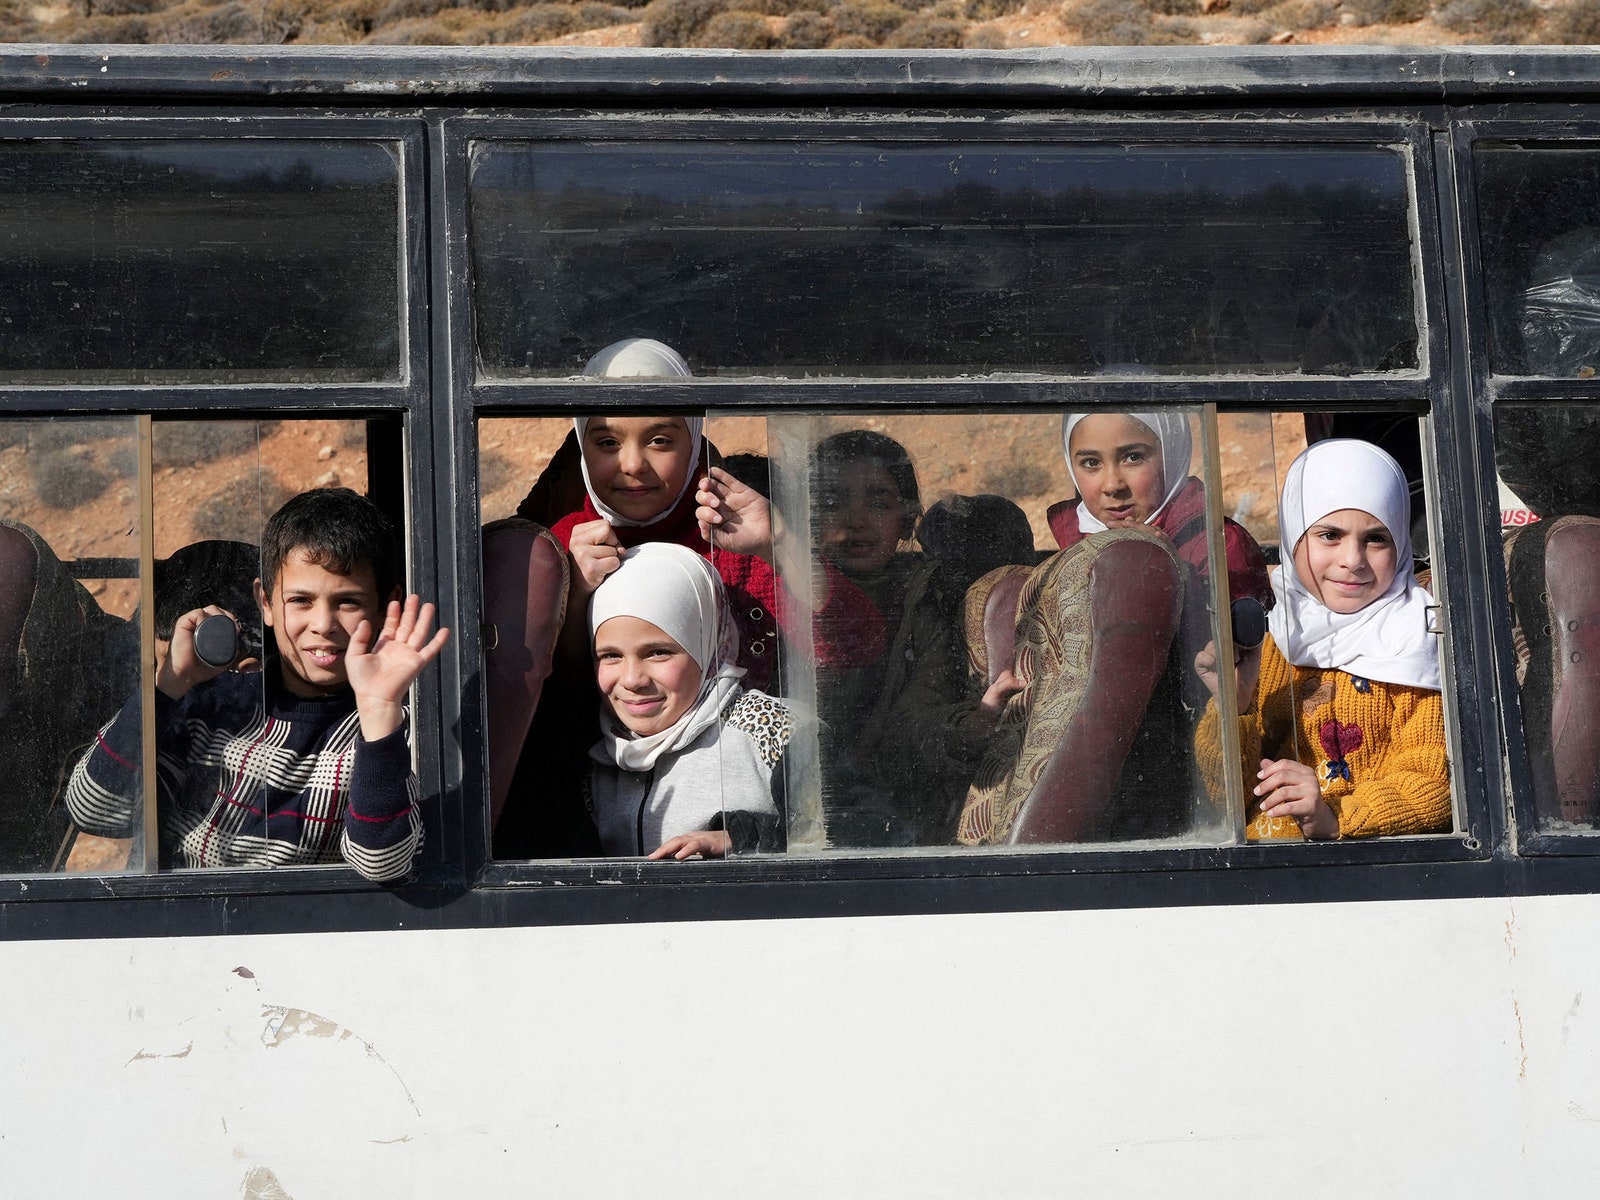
point(526, 580)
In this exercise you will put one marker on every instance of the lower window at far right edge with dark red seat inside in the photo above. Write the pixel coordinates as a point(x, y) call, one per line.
point(1551, 522)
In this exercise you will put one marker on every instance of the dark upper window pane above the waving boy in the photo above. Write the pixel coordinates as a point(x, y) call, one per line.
point(199, 262)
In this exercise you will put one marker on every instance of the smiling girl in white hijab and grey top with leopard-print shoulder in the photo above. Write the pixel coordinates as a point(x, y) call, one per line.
point(689, 759)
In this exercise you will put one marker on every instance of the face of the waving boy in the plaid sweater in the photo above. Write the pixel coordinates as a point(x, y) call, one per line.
point(313, 614)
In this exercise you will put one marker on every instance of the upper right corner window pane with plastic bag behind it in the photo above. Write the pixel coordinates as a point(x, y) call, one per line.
point(1540, 236)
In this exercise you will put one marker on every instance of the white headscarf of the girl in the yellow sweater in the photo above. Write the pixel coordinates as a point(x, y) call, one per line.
point(1388, 641)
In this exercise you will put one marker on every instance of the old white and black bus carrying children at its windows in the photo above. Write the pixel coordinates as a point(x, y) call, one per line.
point(230, 274)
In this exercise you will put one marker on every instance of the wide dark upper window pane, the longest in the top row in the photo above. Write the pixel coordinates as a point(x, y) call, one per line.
point(918, 260)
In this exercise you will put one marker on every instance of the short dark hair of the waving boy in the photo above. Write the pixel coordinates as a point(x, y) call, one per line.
point(338, 530)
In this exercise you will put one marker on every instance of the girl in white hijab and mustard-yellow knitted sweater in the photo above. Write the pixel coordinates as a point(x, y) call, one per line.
point(1343, 724)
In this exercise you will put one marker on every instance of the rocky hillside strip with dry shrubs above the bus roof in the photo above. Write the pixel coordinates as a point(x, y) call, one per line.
point(804, 25)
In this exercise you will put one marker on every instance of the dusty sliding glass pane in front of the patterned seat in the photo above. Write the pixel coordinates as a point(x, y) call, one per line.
point(962, 681)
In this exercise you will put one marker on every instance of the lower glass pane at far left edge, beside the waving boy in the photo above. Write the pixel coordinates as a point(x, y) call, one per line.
point(70, 647)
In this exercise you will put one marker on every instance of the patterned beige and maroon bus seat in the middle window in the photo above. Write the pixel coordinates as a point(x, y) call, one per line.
point(1090, 636)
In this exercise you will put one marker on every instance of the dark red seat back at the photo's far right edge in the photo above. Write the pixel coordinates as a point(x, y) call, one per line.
point(1558, 609)
